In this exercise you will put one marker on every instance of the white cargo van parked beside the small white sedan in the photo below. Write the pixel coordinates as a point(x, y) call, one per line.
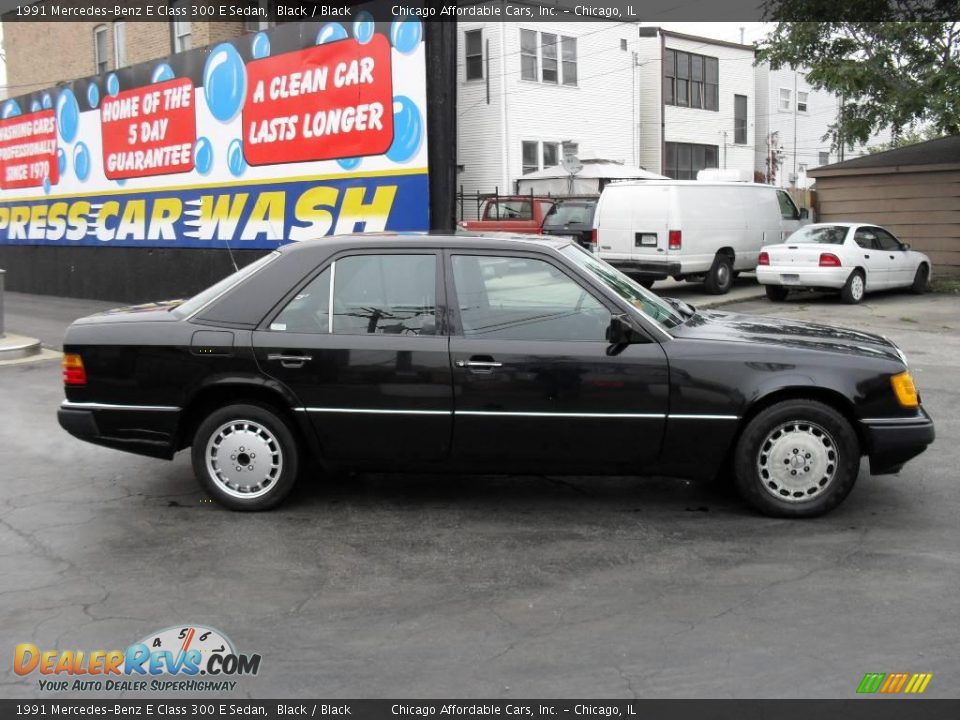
point(691, 229)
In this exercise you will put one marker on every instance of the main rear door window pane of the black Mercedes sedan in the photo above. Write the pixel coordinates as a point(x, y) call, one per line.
point(385, 294)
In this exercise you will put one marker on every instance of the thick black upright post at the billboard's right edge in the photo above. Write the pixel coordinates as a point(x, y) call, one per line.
point(441, 55)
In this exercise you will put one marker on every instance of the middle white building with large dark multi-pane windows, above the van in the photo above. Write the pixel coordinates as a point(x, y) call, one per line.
point(697, 104)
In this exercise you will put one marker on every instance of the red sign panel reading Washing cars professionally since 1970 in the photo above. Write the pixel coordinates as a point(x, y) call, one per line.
point(28, 150)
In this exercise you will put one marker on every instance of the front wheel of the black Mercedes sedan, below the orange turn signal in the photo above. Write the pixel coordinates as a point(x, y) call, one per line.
point(796, 459)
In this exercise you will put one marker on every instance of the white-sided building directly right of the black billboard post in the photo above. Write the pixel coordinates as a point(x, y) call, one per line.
point(531, 91)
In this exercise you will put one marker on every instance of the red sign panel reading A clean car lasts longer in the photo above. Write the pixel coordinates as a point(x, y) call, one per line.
point(326, 102)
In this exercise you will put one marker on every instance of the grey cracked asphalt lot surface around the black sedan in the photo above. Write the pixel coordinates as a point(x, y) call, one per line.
point(438, 586)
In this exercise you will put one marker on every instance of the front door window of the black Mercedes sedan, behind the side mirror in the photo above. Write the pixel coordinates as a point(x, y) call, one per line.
point(524, 299)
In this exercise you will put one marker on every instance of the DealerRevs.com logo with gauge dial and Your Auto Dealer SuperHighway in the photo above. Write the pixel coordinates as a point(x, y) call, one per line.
point(180, 658)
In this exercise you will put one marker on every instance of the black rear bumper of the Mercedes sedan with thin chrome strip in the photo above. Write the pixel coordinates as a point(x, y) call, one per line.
point(143, 430)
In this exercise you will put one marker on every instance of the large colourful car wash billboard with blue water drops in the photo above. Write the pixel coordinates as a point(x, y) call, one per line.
point(306, 130)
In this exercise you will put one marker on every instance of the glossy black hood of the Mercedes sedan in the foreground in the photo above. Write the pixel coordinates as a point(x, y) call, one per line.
point(711, 325)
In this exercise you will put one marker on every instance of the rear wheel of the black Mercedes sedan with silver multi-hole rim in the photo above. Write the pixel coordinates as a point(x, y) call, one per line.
point(260, 442)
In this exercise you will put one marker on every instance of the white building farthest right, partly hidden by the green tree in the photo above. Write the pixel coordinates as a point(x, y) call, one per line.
point(792, 120)
